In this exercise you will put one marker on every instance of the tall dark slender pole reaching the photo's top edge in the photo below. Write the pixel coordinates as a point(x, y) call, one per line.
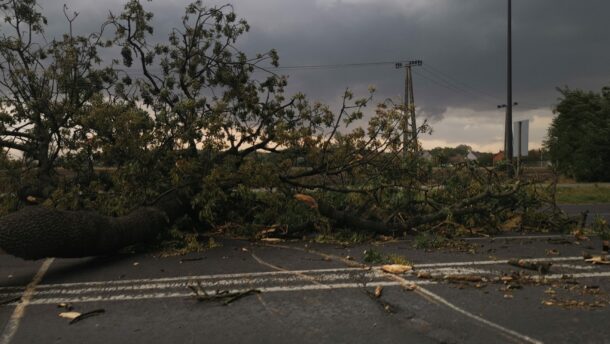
point(508, 130)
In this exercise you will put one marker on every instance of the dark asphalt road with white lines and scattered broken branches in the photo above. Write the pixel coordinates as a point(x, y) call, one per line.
point(316, 293)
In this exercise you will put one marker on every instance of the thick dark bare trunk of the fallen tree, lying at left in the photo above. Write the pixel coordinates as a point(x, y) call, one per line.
point(37, 232)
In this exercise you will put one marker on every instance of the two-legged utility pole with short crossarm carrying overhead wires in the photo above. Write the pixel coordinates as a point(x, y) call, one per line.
point(409, 108)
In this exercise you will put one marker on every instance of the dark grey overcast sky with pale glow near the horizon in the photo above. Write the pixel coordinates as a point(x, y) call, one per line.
point(461, 42)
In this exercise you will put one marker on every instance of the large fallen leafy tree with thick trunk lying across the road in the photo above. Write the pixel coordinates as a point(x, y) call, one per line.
point(242, 145)
